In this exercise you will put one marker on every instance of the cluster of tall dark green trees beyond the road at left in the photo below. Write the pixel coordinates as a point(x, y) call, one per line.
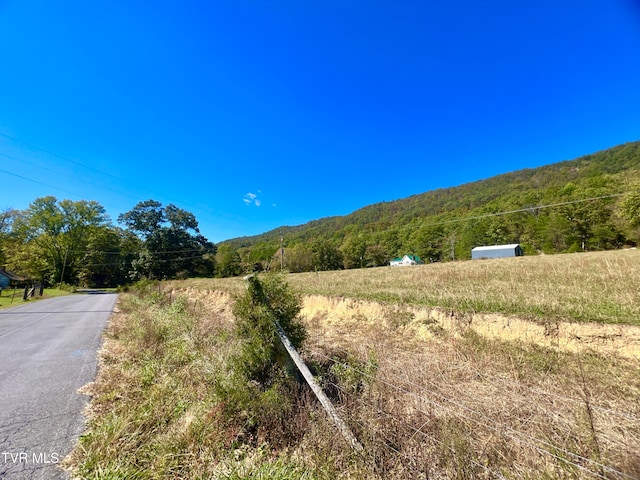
point(75, 242)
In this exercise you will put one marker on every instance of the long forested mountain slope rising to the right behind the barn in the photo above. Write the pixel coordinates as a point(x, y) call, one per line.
point(589, 203)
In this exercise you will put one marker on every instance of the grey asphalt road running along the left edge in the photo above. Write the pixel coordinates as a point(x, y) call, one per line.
point(48, 350)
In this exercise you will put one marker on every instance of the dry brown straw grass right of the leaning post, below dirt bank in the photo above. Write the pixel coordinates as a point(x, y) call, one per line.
point(456, 405)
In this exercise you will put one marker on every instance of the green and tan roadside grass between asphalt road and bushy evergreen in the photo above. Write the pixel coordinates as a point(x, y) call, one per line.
point(165, 404)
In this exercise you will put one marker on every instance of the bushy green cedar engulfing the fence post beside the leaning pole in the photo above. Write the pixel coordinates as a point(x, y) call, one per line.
point(260, 393)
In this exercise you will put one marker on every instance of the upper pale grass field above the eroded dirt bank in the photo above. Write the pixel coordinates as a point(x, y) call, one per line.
point(599, 287)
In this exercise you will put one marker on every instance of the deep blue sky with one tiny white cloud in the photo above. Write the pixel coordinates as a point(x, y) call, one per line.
point(257, 114)
